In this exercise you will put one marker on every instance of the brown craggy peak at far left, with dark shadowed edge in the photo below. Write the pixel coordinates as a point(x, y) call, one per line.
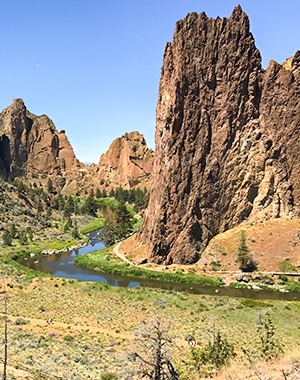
point(31, 146)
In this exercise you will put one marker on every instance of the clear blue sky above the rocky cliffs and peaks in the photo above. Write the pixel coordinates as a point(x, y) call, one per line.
point(93, 66)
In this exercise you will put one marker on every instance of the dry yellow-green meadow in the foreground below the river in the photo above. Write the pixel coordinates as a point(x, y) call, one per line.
point(95, 326)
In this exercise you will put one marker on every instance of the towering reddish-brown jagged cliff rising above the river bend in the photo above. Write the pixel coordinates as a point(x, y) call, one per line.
point(227, 138)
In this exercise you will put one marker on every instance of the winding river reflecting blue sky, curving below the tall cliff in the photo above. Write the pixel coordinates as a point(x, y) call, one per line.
point(62, 265)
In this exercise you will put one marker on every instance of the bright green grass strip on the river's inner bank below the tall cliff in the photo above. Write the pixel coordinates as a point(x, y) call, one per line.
point(103, 261)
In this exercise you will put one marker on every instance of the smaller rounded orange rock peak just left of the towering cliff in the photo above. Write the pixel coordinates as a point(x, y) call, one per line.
point(127, 163)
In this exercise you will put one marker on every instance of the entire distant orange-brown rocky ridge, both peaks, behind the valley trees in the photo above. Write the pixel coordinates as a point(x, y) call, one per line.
point(32, 149)
